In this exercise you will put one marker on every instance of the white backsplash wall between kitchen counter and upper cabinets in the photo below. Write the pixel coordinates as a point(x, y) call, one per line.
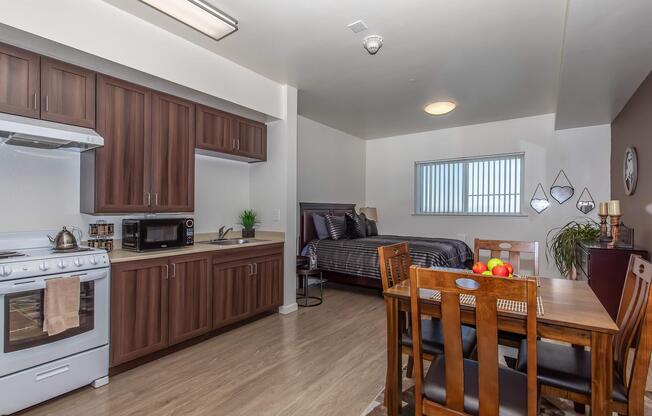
point(42, 191)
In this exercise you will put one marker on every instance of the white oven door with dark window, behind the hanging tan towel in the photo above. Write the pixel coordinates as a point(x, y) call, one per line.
point(24, 344)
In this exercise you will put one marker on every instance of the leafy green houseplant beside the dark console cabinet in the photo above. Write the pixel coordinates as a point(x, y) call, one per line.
point(562, 244)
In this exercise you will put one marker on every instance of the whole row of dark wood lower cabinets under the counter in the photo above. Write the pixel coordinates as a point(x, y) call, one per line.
point(158, 303)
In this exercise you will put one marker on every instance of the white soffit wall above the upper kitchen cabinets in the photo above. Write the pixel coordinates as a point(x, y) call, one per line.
point(101, 29)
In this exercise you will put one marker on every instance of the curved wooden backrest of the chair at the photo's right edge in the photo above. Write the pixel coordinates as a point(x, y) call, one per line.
point(634, 319)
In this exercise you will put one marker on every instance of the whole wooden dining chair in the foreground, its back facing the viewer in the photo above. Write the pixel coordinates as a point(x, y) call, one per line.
point(455, 385)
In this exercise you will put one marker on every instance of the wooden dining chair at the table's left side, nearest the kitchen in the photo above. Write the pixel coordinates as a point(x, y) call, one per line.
point(395, 262)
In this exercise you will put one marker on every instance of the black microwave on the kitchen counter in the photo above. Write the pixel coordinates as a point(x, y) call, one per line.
point(157, 233)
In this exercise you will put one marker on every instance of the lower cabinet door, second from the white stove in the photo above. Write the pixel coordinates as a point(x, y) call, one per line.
point(190, 297)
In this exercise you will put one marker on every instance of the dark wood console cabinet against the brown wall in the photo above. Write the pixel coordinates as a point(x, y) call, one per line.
point(605, 269)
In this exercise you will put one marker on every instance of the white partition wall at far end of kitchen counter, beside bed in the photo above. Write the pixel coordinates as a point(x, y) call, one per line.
point(274, 189)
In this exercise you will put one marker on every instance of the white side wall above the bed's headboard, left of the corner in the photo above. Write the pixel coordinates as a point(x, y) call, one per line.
point(331, 164)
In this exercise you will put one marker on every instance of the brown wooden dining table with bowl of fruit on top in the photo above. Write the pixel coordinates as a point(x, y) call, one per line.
point(571, 313)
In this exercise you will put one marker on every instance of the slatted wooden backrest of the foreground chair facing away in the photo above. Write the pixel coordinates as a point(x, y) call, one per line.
point(487, 290)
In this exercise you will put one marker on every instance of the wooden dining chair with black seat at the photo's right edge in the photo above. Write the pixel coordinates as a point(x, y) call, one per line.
point(565, 371)
